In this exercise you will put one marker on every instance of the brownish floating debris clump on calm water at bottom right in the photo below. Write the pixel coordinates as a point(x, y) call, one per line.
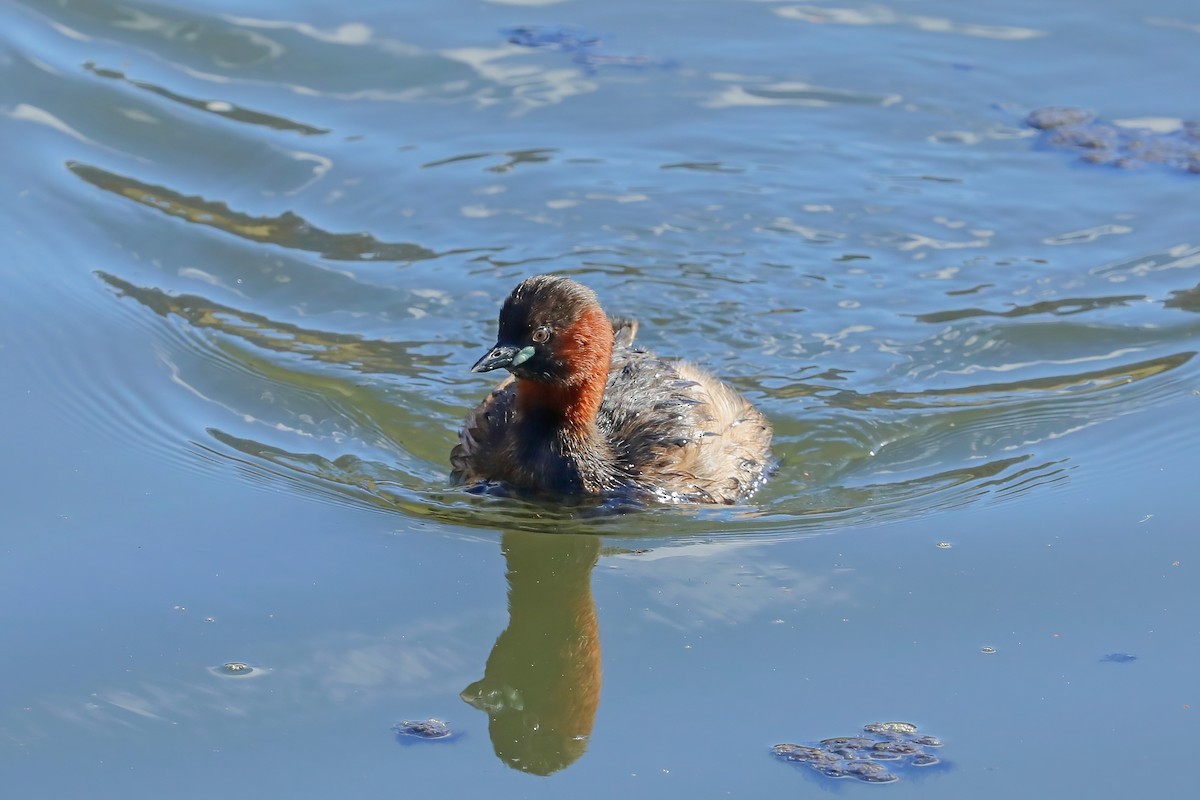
point(860, 757)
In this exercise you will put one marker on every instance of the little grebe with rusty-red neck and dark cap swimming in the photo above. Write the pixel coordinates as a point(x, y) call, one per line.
point(589, 414)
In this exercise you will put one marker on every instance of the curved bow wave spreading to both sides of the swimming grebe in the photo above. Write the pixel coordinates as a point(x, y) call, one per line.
point(857, 458)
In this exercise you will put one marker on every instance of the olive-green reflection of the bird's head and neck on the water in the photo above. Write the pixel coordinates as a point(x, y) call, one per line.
point(542, 685)
